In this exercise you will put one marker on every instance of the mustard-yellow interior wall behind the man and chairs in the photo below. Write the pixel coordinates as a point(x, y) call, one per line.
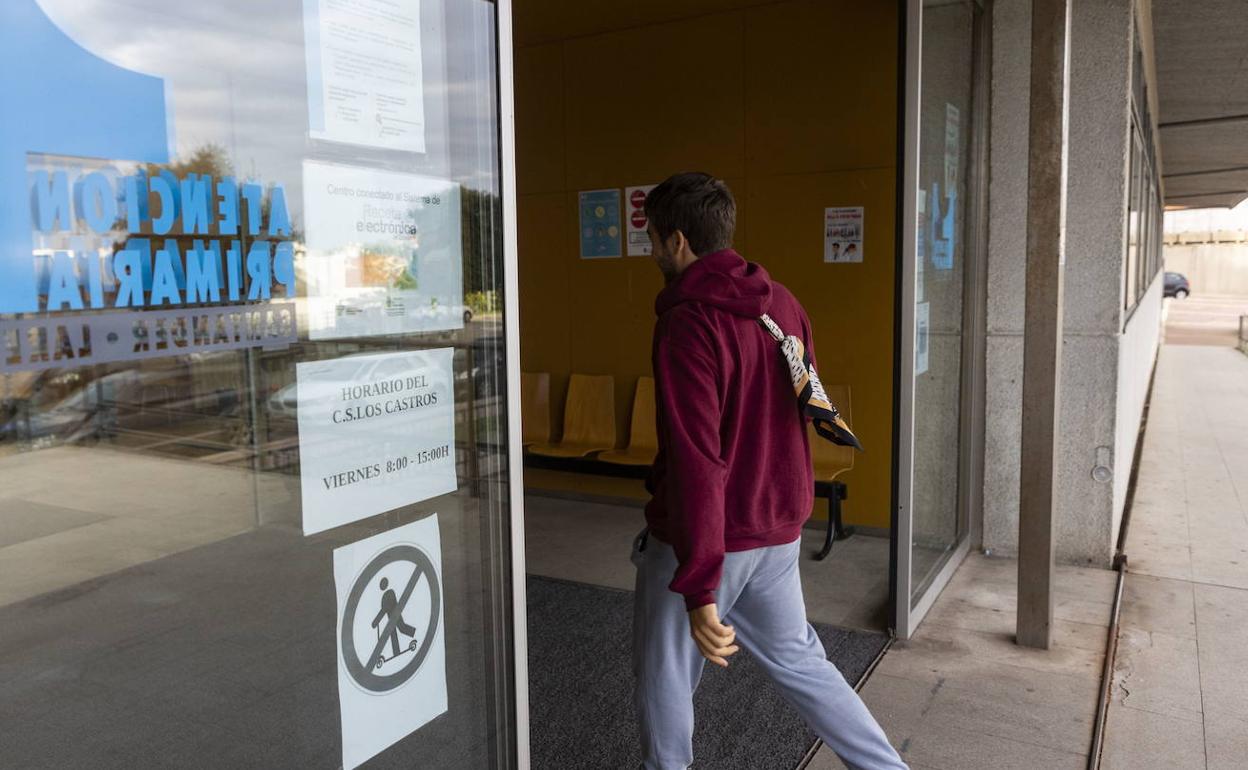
point(793, 104)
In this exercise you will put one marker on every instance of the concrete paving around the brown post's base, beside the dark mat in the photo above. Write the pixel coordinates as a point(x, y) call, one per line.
point(963, 696)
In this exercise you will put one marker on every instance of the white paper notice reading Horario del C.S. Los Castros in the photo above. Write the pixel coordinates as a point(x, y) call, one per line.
point(376, 434)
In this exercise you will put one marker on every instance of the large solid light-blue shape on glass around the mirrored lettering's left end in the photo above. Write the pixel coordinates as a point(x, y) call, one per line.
point(82, 120)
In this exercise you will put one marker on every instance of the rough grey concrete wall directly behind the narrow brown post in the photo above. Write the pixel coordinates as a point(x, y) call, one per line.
point(1099, 148)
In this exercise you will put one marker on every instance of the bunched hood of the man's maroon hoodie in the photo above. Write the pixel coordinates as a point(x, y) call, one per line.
point(722, 280)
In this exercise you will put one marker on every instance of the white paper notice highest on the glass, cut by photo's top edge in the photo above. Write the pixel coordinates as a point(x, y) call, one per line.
point(365, 79)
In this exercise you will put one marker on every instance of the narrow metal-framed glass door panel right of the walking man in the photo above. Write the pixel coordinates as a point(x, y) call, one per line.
point(940, 299)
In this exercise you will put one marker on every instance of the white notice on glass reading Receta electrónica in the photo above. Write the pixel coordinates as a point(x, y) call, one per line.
point(384, 253)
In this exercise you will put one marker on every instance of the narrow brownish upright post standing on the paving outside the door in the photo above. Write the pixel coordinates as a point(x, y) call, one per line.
point(1043, 334)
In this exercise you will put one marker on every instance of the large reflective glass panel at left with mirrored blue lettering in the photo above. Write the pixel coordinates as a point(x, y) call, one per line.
point(254, 480)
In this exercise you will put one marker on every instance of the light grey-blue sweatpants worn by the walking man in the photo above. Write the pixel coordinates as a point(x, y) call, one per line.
point(761, 597)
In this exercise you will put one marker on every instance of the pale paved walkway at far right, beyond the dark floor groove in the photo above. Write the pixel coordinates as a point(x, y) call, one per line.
point(1181, 682)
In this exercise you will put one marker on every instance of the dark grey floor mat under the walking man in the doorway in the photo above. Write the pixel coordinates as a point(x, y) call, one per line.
point(581, 686)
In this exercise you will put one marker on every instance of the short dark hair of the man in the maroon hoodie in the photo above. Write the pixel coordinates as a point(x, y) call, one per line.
point(700, 207)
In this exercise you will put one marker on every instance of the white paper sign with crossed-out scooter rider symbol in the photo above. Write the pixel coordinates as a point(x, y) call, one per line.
point(392, 656)
